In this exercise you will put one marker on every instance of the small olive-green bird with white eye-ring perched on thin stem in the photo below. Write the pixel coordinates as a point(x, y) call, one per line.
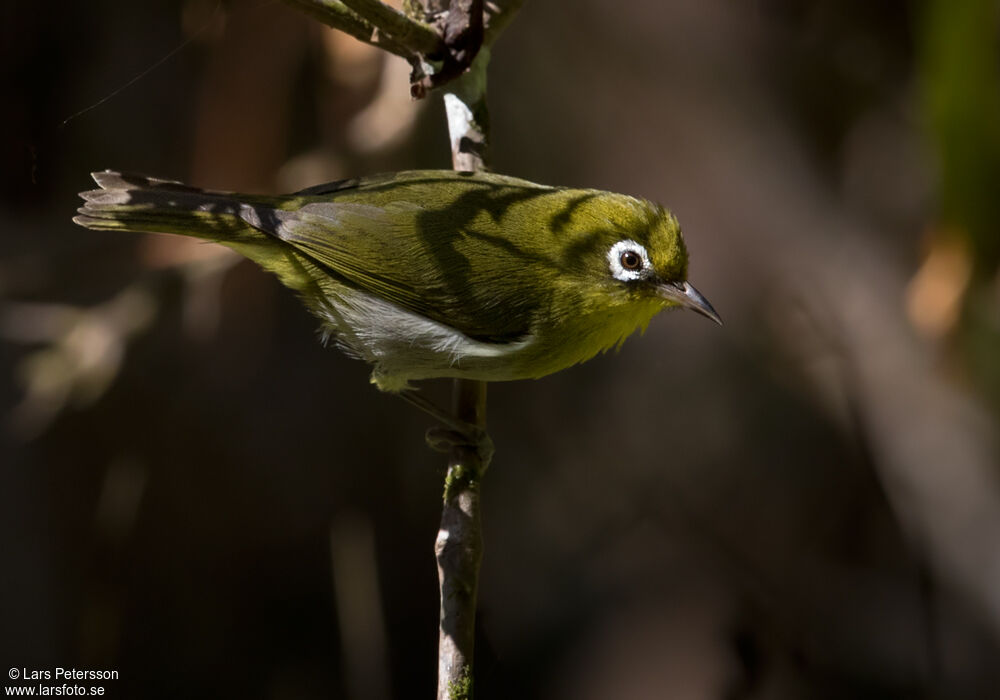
point(439, 273)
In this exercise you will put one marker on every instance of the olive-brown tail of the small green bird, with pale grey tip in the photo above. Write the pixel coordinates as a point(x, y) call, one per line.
point(143, 204)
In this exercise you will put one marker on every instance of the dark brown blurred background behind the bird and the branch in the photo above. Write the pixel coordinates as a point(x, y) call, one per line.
point(802, 504)
